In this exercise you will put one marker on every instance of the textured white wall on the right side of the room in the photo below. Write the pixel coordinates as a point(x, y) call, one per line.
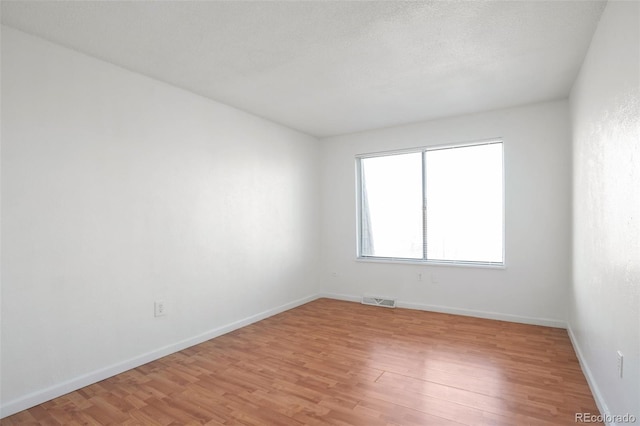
point(605, 296)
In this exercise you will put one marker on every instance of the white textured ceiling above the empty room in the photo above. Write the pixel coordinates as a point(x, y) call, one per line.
point(329, 68)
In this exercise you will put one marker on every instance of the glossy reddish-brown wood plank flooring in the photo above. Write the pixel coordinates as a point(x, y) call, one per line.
point(342, 363)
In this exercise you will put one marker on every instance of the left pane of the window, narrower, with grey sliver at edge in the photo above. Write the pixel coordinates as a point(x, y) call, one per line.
point(391, 222)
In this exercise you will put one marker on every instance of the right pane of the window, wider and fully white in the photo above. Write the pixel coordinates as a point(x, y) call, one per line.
point(464, 203)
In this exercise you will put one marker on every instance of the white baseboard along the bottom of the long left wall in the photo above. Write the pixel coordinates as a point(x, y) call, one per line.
point(76, 383)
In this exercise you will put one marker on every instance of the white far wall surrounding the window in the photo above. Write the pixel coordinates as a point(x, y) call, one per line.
point(533, 287)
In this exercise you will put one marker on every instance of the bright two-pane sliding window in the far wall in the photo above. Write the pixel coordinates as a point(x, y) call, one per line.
point(439, 204)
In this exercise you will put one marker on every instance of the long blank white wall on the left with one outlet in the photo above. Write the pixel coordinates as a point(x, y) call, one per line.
point(118, 190)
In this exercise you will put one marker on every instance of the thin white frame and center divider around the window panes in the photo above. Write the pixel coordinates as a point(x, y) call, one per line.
point(424, 261)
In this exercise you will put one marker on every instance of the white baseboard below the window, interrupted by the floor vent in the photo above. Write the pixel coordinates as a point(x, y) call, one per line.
point(459, 311)
